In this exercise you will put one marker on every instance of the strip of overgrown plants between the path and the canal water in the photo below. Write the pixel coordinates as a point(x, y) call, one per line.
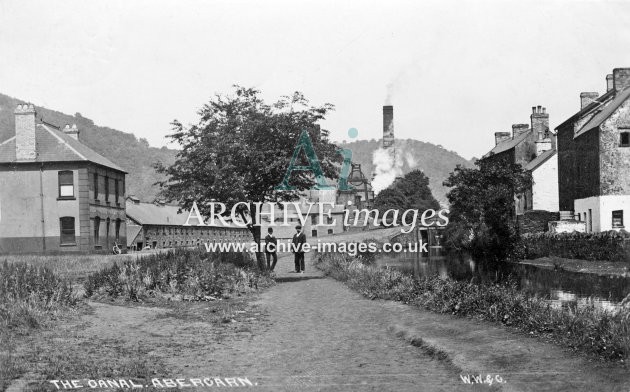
point(587, 329)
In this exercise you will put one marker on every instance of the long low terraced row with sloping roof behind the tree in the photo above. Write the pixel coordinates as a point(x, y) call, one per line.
point(159, 226)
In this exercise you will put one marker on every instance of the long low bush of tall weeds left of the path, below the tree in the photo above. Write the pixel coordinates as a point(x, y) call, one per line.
point(190, 272)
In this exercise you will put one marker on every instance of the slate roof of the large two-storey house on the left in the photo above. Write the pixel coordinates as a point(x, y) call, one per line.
point(53, 145)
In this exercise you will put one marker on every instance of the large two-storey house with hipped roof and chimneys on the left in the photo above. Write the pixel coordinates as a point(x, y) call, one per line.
point(57, 195)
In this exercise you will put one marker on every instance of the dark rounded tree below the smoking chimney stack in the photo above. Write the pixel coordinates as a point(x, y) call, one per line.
point(409, 192)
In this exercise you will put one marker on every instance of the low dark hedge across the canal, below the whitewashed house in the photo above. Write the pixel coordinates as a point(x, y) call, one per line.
point(608, 246)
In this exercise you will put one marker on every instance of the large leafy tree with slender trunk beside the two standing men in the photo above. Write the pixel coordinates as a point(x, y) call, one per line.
point(239, 152)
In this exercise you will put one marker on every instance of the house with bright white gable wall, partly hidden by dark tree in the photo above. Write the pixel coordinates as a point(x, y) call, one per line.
point(534, 148)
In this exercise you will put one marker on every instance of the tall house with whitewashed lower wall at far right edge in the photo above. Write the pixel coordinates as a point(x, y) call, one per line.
point(594, 157)
